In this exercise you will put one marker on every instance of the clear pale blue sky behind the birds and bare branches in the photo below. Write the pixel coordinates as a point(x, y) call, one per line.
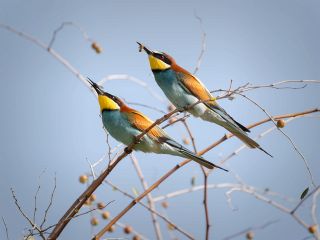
point(50, 121)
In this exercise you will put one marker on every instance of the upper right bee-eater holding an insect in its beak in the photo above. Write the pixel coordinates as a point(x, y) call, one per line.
point(184, 89)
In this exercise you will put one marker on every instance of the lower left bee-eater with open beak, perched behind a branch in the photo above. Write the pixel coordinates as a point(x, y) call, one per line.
point(125, 124)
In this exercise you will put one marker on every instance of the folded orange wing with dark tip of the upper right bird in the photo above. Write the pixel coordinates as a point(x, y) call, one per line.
point(194, 86)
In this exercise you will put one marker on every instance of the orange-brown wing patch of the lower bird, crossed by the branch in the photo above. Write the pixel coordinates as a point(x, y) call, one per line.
point(142, 122)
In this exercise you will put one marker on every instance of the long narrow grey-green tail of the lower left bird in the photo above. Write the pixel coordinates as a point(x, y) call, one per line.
point(190, 155)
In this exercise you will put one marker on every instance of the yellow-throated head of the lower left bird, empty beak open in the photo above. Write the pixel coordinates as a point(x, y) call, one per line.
point(106, 101)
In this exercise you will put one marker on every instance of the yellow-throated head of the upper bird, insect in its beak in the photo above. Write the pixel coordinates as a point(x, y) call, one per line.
point(159, 61)
